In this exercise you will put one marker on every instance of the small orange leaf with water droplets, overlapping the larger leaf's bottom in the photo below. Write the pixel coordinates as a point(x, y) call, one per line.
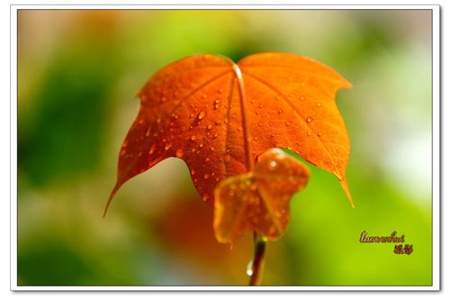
point(258, 201)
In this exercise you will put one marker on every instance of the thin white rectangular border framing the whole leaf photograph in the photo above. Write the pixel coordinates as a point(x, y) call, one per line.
point(436, 62)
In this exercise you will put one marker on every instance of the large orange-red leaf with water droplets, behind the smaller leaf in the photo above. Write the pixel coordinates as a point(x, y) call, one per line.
point(218, 116)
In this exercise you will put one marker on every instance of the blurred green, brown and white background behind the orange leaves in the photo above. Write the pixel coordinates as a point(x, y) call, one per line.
point(79, 72)
